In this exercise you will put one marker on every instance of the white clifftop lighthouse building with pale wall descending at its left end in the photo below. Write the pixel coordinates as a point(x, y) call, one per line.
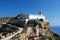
point(34, 17)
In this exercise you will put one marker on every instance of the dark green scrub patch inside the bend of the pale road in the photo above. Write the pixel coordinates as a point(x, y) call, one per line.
point(6, 29)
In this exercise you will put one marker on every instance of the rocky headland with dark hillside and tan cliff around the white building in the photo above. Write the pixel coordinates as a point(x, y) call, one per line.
point(32, 30)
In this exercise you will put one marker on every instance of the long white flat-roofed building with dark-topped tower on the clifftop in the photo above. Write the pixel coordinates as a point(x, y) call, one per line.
point(32, 16)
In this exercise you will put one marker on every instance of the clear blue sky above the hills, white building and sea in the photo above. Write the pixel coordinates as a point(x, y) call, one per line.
point(49, 8)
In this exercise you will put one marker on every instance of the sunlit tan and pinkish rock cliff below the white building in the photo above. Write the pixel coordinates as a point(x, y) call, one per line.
point(38, 33)
